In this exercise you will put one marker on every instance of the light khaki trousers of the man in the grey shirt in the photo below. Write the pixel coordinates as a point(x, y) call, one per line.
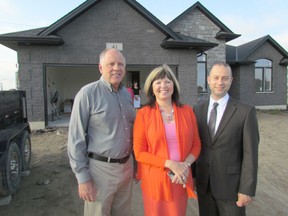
point(113, 183)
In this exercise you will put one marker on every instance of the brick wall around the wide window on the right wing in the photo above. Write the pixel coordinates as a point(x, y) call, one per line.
point(277, 98)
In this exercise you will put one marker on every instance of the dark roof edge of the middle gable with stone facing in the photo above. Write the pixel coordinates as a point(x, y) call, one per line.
point(224, 33)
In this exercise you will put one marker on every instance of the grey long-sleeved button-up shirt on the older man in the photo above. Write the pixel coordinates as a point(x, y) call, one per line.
point(101, 122)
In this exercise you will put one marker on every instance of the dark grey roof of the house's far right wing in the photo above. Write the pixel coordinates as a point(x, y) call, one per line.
point(241, 53)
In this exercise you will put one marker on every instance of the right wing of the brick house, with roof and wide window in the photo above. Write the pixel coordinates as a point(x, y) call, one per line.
point(260, 73)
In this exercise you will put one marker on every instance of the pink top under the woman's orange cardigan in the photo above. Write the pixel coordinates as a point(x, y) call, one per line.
point(172, 142)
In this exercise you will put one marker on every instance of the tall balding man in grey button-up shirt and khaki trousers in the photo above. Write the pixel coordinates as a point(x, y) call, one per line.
point(100, 140)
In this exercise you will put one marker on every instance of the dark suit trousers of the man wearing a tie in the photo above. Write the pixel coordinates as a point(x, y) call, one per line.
point(211, 206)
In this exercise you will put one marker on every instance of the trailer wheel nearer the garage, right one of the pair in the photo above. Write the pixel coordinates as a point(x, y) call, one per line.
point(25, 146)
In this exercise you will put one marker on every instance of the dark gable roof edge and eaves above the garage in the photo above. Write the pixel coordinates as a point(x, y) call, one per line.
point(48, 35)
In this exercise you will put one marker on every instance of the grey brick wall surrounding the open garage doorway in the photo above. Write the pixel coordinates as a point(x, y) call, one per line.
point(110, 21)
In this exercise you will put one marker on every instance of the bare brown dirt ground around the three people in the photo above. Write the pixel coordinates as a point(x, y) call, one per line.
point(51, 188)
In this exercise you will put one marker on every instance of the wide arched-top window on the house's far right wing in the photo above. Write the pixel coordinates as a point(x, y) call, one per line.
point(263, 75)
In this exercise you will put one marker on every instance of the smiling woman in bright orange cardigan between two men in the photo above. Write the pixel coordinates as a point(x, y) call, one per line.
point(165, 139)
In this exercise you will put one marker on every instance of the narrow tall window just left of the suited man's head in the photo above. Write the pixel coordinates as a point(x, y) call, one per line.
point(202, 73)
